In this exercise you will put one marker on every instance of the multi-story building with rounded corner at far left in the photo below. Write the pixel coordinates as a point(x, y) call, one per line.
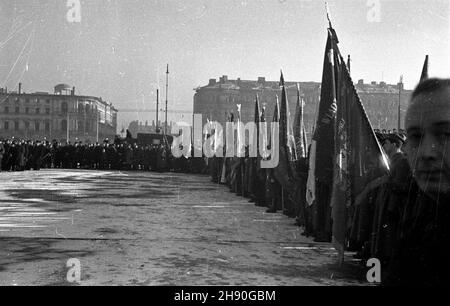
point(62, 116)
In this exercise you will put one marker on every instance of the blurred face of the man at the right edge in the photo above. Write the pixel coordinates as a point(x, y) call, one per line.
point(428, 144)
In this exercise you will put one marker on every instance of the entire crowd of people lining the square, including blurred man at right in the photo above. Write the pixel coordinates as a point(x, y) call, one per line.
point(402, 218)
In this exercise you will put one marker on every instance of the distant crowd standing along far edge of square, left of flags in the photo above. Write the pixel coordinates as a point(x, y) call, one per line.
point(21, 155)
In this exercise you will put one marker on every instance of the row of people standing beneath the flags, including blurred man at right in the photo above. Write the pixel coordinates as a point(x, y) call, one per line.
point(402, 218)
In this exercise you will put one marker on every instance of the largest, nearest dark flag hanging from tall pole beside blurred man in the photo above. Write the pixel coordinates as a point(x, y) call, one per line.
point(356, 155)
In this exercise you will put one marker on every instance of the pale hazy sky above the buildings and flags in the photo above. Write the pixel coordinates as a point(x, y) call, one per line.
point(119, 46)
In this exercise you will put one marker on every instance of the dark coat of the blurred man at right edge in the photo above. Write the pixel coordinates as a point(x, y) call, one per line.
point(421, 256)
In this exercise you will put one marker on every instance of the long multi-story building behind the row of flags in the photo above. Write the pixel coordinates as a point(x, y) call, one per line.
point(217, 99)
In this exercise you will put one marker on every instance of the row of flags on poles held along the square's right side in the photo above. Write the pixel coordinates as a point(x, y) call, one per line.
point(344, 154)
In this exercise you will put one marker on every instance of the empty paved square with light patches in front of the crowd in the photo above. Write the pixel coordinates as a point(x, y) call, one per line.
point(139, 228)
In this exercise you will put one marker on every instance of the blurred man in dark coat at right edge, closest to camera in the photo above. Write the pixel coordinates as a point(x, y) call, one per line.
point(421, 255)
